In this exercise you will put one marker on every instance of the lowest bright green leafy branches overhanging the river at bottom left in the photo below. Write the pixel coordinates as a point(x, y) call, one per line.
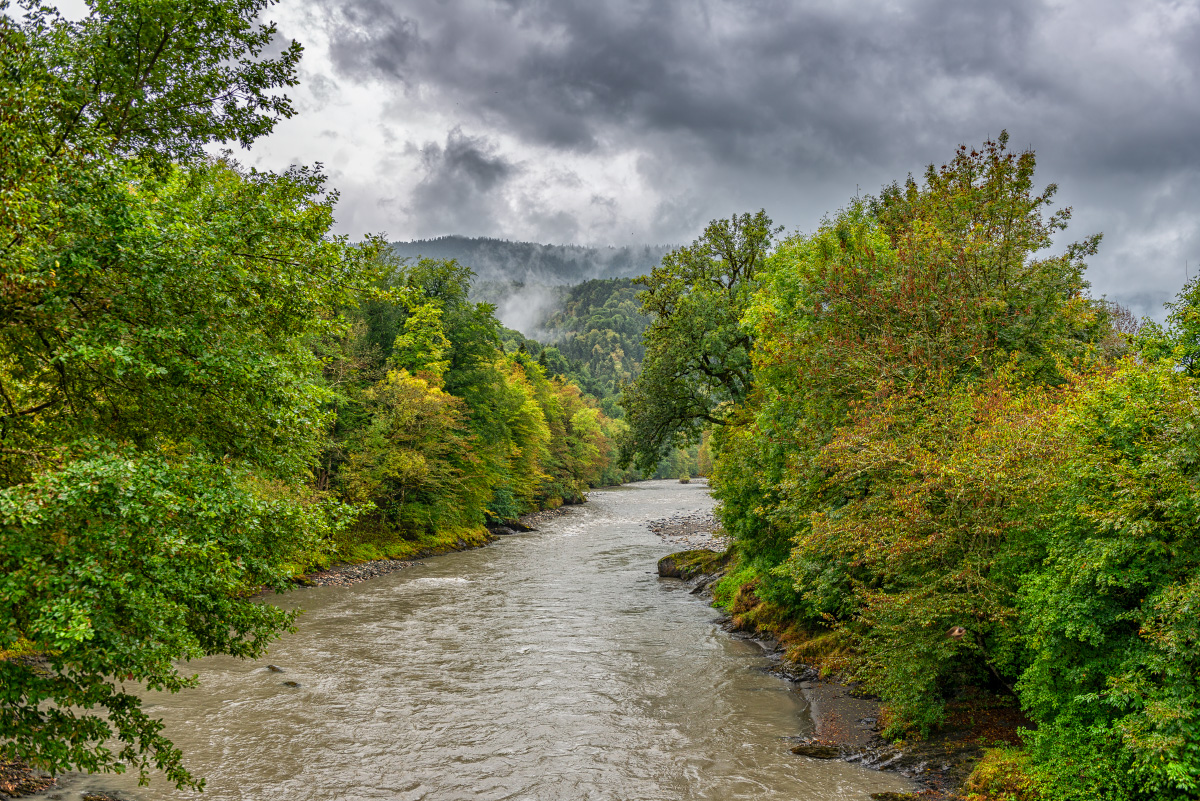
point(117, 567)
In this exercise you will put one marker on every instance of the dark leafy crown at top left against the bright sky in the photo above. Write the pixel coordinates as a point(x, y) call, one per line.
point(158, 80)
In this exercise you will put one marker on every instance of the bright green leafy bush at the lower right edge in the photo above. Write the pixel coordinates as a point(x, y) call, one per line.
point(1112, 617)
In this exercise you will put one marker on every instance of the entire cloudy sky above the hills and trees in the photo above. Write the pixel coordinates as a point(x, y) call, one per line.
point(627, 122)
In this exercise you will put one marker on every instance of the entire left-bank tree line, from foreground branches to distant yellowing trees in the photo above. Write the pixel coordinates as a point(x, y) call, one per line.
point(205, 393)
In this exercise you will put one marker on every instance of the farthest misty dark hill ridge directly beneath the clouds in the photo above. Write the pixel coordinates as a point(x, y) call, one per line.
point(530, 263)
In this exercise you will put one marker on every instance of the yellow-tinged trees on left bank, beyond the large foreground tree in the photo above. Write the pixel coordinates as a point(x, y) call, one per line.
point(439, 427)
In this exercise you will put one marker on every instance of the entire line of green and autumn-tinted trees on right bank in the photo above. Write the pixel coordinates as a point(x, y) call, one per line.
point(947, 469)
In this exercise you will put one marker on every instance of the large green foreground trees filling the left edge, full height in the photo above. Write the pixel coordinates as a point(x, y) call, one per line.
point(160, 399)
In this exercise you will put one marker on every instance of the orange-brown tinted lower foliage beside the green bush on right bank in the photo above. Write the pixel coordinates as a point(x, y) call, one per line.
point(937, 539)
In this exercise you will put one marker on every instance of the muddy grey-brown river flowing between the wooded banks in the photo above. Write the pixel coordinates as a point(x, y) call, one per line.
point(551, 666)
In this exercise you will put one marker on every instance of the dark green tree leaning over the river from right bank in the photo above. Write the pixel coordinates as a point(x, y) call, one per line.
point(698, 353)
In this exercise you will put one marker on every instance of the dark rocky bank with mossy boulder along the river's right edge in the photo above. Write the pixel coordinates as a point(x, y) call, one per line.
point(848, 721)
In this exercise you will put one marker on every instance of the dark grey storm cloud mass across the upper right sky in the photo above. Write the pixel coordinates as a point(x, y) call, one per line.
point(775, 100)
